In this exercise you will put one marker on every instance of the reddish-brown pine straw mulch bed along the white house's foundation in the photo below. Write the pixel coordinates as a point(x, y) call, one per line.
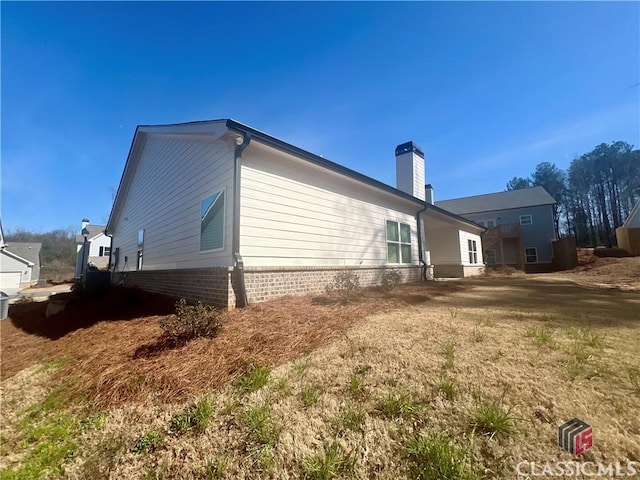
point(117, 354)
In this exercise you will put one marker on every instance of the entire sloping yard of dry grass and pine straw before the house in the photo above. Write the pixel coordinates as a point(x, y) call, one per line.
point(492, 366)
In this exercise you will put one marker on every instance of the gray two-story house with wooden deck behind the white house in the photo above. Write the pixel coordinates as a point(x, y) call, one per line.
point(520, 223)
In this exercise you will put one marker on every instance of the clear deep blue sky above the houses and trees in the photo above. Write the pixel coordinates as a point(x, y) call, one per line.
point(488, 90)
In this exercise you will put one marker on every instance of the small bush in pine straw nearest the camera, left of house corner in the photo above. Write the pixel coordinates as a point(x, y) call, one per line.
point(191, 321)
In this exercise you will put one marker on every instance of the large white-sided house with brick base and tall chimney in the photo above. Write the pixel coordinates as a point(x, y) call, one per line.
point(220, 212)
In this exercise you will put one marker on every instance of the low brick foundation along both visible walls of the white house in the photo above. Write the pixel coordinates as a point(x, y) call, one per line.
point(213, 285)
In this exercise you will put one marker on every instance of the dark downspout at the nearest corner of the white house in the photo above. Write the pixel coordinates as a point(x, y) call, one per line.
point(237, 276)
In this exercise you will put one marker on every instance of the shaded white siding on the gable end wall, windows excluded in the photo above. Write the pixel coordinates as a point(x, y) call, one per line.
point(173, 176)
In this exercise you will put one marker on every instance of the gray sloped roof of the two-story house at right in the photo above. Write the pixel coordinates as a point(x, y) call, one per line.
point(526, 197)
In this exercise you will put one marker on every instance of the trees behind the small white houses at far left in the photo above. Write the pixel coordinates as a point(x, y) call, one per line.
point(58, 246)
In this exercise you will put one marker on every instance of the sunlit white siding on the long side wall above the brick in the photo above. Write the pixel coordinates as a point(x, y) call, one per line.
point(294, 213)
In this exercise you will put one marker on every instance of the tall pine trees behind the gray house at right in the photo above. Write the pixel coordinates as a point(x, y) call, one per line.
point(594, 195)
